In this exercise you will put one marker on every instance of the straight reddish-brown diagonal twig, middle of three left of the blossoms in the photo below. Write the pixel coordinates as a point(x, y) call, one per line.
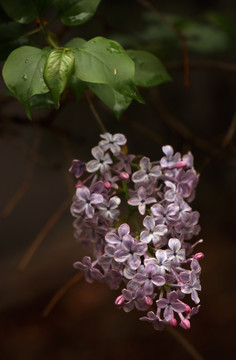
point(43, 233)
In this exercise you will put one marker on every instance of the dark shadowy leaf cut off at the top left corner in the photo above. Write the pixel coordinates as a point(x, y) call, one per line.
point(24, 11)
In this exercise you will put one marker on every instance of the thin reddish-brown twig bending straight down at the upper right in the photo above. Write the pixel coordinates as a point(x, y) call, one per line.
point(181, 37)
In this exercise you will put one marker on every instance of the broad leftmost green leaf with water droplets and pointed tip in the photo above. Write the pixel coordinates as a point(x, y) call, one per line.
point(23, 74)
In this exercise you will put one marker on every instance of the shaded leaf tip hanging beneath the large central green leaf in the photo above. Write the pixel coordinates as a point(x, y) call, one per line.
point(116, 101)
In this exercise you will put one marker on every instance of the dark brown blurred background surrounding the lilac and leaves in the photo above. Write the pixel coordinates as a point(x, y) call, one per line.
point(36, 190)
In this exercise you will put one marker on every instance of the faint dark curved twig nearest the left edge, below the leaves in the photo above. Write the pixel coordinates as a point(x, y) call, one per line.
point(20, 192)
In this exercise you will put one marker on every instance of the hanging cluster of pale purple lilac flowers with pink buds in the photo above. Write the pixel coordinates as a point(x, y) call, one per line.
point(153, 263)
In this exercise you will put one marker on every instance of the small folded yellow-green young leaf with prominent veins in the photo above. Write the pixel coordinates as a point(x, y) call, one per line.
point(57, 72)
